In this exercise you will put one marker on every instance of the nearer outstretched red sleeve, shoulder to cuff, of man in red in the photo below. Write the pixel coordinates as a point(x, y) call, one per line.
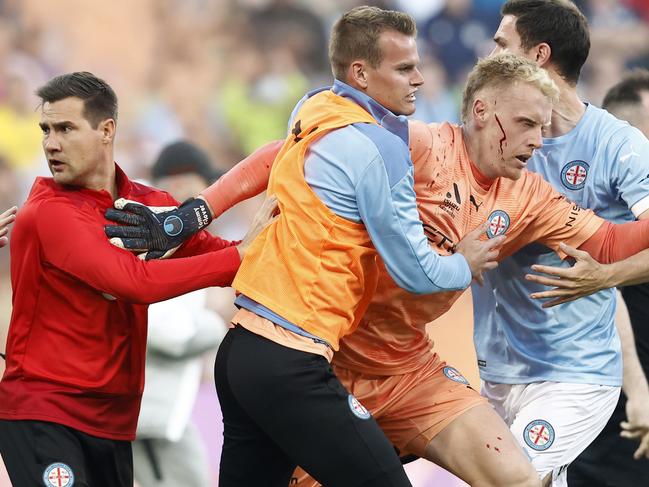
point(90, 258)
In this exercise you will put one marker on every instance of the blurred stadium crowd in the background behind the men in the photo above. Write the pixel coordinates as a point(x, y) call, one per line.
point(225, 74)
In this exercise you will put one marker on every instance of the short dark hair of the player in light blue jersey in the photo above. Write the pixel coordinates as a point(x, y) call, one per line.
point(558, 23)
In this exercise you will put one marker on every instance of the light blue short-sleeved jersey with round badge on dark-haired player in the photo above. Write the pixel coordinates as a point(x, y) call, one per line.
point(601, 164)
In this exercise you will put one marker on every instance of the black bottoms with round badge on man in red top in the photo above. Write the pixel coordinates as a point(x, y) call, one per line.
point(39, 453)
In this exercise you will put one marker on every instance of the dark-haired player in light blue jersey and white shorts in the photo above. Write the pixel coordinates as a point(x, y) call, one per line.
point(555, 374)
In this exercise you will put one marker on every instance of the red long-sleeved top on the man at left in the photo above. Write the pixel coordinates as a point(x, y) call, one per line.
point(77, 337)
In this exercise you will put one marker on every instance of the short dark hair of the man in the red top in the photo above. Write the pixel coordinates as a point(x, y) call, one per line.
point(99, 99)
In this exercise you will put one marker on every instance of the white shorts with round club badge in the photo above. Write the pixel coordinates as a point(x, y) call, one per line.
point(553, 421)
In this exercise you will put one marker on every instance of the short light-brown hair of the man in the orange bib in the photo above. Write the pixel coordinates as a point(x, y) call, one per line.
point(356, 34)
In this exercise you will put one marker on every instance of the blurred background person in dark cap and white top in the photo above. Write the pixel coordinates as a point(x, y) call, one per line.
point(168, 450)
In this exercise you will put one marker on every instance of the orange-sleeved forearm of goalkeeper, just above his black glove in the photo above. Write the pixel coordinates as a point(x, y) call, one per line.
point(245, 180)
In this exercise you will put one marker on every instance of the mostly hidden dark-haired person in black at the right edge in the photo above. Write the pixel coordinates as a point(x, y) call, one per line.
point(611, 461)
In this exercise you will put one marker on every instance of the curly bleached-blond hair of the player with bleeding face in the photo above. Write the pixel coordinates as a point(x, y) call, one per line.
point(502, 70)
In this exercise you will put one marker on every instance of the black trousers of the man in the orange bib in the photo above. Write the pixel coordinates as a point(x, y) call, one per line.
point(282, 408)
